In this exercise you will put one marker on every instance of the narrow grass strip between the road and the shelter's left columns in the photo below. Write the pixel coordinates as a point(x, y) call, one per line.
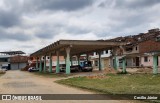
point(50, 75)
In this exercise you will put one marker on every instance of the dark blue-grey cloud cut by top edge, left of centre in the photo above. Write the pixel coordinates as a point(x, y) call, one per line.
point(64, 5)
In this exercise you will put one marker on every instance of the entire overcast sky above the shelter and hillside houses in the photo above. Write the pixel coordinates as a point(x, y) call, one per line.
point(29, 25)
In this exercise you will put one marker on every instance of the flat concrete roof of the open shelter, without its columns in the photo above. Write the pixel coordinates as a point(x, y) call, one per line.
point(77, 47)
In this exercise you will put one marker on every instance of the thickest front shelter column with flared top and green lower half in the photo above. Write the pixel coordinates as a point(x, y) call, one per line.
point(68, 70)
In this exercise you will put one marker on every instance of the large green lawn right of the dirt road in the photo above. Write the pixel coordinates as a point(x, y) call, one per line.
point(118, 83)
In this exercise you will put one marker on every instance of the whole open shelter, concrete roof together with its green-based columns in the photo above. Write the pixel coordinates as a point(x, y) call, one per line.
point(69, 48)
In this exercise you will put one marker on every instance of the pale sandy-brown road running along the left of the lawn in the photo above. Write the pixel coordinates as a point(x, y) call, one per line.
point(18, 82)
